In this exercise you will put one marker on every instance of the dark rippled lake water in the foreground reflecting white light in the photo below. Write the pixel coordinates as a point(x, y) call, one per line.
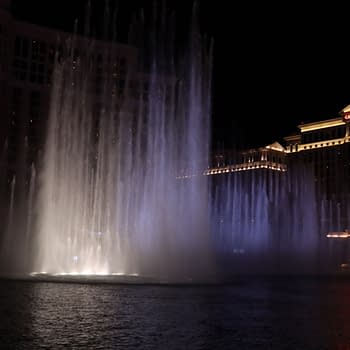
point(251, 313)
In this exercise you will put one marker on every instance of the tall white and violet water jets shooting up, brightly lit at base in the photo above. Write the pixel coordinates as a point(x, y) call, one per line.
point(120, 191)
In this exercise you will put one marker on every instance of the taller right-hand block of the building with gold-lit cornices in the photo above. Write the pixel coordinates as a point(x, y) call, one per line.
point(326, 146)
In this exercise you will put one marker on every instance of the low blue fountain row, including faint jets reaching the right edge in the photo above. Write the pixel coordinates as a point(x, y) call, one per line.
point(276, 222)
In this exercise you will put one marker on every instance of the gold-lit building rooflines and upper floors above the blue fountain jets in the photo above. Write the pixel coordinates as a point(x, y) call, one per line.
point(322, 146)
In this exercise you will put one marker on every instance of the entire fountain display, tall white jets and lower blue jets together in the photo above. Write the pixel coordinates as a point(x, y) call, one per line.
point(120, 192)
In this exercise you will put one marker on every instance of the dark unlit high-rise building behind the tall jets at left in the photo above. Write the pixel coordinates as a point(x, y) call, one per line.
point(27, 58)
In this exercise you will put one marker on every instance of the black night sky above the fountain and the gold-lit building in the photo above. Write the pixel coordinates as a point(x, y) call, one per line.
point(275, 65)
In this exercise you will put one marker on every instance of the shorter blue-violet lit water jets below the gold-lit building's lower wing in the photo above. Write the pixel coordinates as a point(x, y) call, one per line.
point(267, 220)
